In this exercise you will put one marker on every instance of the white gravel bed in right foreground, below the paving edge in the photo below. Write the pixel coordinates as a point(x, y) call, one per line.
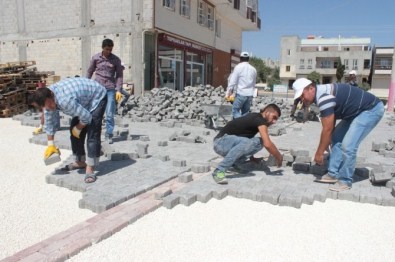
point(242, 230)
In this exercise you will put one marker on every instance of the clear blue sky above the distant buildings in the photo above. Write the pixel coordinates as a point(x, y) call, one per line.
point(326, 18)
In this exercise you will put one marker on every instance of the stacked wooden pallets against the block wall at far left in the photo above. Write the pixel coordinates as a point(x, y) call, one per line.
point(17, 80)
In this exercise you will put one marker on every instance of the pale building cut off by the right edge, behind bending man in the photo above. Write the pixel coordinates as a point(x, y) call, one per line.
point(381, 71)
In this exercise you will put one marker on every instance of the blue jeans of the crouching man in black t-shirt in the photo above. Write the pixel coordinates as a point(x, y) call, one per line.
point(235, 148)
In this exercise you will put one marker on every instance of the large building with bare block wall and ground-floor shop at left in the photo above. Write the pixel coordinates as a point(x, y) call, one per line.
point(162, 42)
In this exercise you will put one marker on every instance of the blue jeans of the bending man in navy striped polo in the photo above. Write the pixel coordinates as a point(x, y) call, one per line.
point(346, 139)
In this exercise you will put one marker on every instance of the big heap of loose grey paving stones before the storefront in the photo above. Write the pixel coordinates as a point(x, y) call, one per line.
point(163, 104)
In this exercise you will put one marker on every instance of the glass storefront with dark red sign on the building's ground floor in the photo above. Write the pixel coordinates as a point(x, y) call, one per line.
point(182, 63)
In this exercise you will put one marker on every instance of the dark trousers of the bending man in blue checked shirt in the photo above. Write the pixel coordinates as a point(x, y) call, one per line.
point(91, 131)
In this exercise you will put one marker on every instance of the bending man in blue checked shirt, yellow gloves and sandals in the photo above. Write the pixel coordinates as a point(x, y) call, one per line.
point(85, 100)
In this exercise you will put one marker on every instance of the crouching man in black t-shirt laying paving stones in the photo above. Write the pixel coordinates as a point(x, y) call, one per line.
point(237, 139)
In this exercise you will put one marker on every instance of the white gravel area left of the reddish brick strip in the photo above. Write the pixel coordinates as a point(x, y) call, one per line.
point(30, 209)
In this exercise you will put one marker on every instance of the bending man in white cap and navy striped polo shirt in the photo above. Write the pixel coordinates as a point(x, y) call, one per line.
point(359, 112)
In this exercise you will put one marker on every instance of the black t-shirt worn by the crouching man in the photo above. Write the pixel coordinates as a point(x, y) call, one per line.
point(245, 126)
